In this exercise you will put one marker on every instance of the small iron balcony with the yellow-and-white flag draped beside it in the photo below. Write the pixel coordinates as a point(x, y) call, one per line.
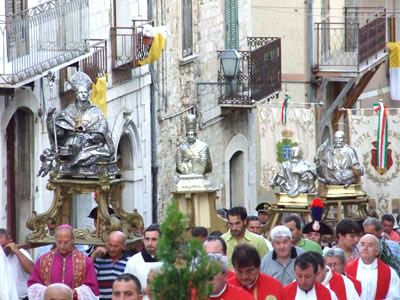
point(127, 45)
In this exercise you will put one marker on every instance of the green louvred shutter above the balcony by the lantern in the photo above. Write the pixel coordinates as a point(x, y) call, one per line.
point(231, 24)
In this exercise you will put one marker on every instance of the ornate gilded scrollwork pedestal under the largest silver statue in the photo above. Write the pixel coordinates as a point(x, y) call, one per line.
point(108, 190)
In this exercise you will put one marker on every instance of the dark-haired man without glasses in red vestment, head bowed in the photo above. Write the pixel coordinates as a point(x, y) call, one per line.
point(306, 285)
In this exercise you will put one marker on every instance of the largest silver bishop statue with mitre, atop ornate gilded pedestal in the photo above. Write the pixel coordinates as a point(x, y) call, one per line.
point(79, 134)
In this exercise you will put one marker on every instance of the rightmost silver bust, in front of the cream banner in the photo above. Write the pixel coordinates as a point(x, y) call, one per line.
point(338, 164)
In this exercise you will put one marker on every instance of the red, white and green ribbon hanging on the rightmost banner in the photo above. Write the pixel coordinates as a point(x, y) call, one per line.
point(382, 143)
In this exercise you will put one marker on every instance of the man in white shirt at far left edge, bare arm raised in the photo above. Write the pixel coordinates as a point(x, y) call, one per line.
point(19, 261)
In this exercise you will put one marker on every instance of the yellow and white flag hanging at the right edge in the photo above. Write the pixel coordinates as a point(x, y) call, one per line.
point(394, 69)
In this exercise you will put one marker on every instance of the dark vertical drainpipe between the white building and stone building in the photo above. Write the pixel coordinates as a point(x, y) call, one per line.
point(153, 125)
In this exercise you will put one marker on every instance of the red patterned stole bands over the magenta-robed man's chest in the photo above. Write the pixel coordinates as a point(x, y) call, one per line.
point(78, 262)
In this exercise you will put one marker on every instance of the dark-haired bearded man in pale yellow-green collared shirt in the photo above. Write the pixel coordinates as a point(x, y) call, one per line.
point(238, 234)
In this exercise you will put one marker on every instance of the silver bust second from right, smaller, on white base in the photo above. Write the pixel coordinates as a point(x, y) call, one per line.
point(296, 175)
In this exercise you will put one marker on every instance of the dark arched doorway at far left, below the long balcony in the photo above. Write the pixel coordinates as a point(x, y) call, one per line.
point(19, 150)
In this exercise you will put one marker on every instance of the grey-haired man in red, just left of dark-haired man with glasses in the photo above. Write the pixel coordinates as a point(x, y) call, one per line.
point(221, 289)
